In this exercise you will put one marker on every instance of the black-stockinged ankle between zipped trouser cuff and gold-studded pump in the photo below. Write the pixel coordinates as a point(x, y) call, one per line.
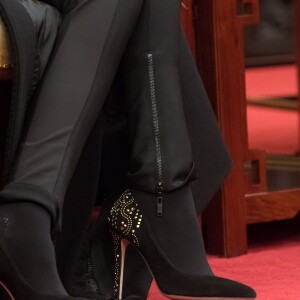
point(177, 231)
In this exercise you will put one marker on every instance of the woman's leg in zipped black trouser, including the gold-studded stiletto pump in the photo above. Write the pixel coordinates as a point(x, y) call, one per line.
point(157, 213)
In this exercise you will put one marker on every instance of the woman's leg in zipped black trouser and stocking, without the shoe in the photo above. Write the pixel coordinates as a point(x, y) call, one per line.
point(161, 164)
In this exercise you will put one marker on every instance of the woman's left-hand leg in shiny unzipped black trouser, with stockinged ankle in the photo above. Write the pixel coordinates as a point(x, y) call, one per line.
point(90, 45)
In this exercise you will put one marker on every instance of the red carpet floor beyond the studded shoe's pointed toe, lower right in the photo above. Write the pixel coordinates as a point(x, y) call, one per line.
point(272, 267)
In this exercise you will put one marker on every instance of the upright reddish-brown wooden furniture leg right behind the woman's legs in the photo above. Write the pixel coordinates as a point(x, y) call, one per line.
point(220, 56)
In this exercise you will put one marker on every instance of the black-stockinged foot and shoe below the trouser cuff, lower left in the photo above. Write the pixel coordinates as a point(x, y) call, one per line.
point(27, 260)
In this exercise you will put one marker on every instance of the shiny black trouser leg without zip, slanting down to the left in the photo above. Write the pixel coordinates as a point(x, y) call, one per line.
point(89, 48)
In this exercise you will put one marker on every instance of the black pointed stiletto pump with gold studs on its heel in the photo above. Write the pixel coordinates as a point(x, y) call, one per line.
point(129, 225)
